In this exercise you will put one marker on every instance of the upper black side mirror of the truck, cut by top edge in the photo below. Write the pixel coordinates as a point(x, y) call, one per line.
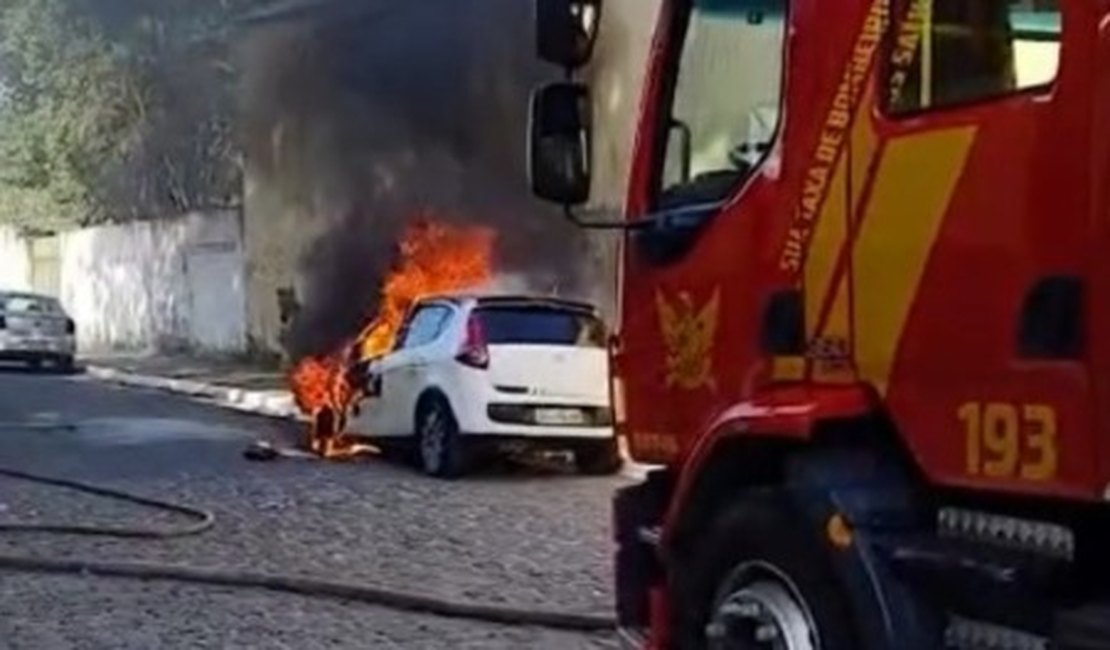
point(567, 32)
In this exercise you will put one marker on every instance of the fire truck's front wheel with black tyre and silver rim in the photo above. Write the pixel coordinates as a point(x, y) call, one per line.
point(761, 580)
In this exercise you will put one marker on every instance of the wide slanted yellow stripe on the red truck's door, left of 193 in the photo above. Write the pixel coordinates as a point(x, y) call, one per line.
point(913, 190)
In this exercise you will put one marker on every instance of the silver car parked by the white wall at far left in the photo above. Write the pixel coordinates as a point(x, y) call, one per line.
point(36, 330)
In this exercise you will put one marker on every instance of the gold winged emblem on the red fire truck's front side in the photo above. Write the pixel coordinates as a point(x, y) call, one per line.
point(689, 333)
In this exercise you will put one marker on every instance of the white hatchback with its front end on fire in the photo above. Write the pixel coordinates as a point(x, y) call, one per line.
point(471, 374)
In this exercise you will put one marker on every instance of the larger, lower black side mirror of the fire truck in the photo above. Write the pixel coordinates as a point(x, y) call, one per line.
point(560, 144)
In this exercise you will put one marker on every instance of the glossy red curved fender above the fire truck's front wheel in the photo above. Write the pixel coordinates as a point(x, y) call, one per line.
point(783, 414)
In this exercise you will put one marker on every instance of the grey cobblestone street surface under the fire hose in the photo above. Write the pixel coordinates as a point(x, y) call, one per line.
point(514, 537)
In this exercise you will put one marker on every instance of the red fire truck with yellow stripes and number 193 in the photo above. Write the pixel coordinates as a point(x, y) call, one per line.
point(864, 320)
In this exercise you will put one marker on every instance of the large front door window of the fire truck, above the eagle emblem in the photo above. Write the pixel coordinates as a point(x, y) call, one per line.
point(728, 88)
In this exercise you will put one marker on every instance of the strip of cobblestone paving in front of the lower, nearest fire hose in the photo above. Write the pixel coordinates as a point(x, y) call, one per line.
point(75, 614)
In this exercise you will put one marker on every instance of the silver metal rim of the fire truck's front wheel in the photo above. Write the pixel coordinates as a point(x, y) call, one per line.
point(760, 608)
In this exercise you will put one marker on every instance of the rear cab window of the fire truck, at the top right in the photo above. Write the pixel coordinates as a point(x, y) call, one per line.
point(952, 53)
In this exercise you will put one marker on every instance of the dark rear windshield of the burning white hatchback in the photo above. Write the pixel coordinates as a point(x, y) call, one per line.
point(541, 327)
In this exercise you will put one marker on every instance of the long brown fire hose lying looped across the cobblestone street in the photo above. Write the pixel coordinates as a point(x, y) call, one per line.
point(205, 521)
